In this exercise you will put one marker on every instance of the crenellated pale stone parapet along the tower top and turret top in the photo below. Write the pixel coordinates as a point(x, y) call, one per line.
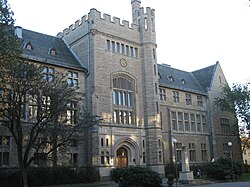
point(98, 21)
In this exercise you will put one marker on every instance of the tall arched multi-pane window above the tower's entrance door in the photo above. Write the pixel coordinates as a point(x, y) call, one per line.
point(123, 100)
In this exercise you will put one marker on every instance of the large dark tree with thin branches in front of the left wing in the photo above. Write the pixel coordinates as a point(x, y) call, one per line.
point(42, 116)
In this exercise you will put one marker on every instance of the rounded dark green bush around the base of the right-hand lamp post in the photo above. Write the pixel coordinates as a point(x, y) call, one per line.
point(222, 169)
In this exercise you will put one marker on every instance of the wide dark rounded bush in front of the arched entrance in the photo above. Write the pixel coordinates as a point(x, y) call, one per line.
point(135, 177)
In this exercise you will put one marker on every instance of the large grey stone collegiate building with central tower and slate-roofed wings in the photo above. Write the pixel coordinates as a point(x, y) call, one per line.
point(142, 105)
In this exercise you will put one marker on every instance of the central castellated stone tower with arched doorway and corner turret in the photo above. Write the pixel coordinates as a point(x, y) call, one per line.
point(121, 87)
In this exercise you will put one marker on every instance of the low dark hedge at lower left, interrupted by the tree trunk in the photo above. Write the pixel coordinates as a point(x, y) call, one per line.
point(43, 176)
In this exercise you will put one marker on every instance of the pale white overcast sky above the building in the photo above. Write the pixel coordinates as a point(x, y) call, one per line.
point(191, 34)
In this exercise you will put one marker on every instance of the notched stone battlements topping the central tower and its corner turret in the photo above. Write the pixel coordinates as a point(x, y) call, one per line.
point(94, 16)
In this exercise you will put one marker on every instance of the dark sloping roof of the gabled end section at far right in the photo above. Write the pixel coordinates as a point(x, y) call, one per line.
point(205, 76)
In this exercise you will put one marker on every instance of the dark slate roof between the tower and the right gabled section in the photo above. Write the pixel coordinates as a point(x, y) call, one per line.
point(191, 83)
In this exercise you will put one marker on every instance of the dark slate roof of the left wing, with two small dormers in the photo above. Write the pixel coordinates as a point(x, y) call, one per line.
point(42, 44)
